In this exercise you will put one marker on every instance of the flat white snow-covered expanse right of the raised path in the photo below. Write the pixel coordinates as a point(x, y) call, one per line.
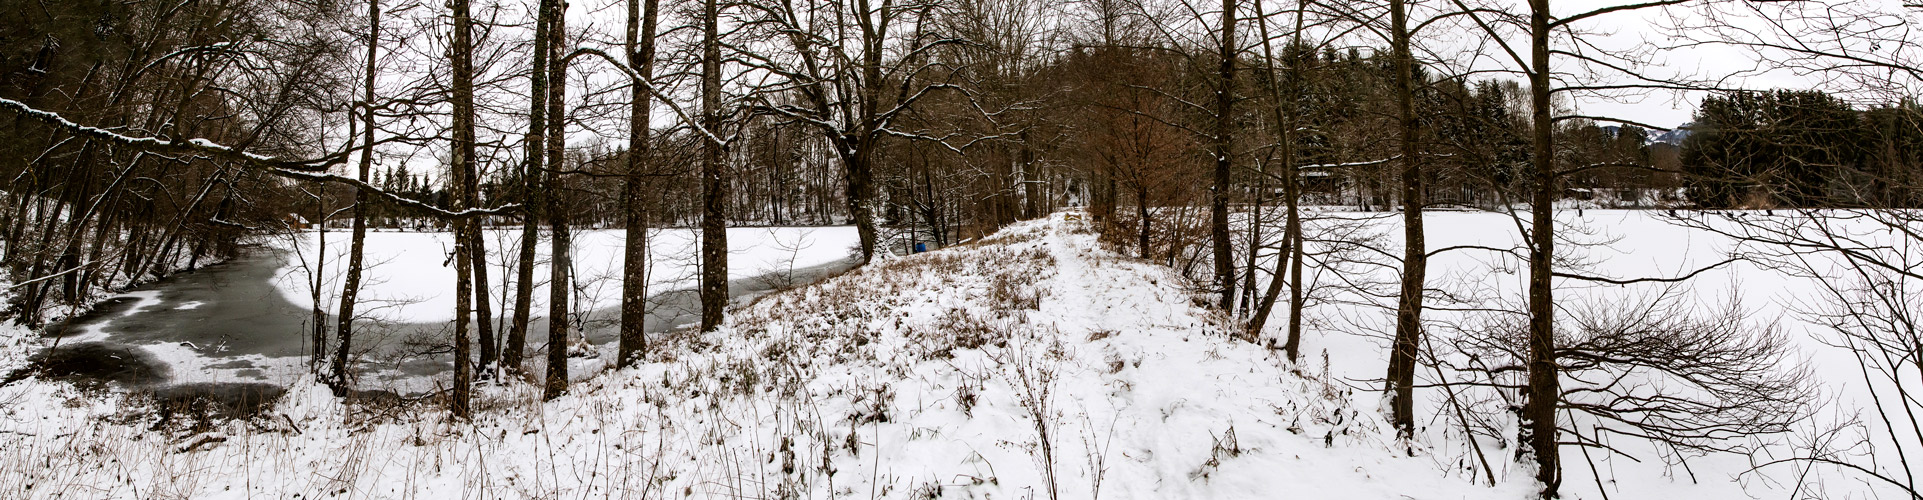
point(1355, 330)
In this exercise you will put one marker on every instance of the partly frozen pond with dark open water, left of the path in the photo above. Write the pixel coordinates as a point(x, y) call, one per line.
point(251, 320)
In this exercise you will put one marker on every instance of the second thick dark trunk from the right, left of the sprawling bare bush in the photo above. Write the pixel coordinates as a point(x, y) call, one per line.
point(1403, 357)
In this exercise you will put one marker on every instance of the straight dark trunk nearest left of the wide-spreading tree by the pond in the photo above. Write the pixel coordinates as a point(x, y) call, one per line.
point(714, 180)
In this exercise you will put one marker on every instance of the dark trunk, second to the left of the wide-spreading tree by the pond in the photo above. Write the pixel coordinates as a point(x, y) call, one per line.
point(636, 257)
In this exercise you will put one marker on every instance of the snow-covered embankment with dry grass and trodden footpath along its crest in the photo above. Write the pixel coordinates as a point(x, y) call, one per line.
point(1026, 366)
